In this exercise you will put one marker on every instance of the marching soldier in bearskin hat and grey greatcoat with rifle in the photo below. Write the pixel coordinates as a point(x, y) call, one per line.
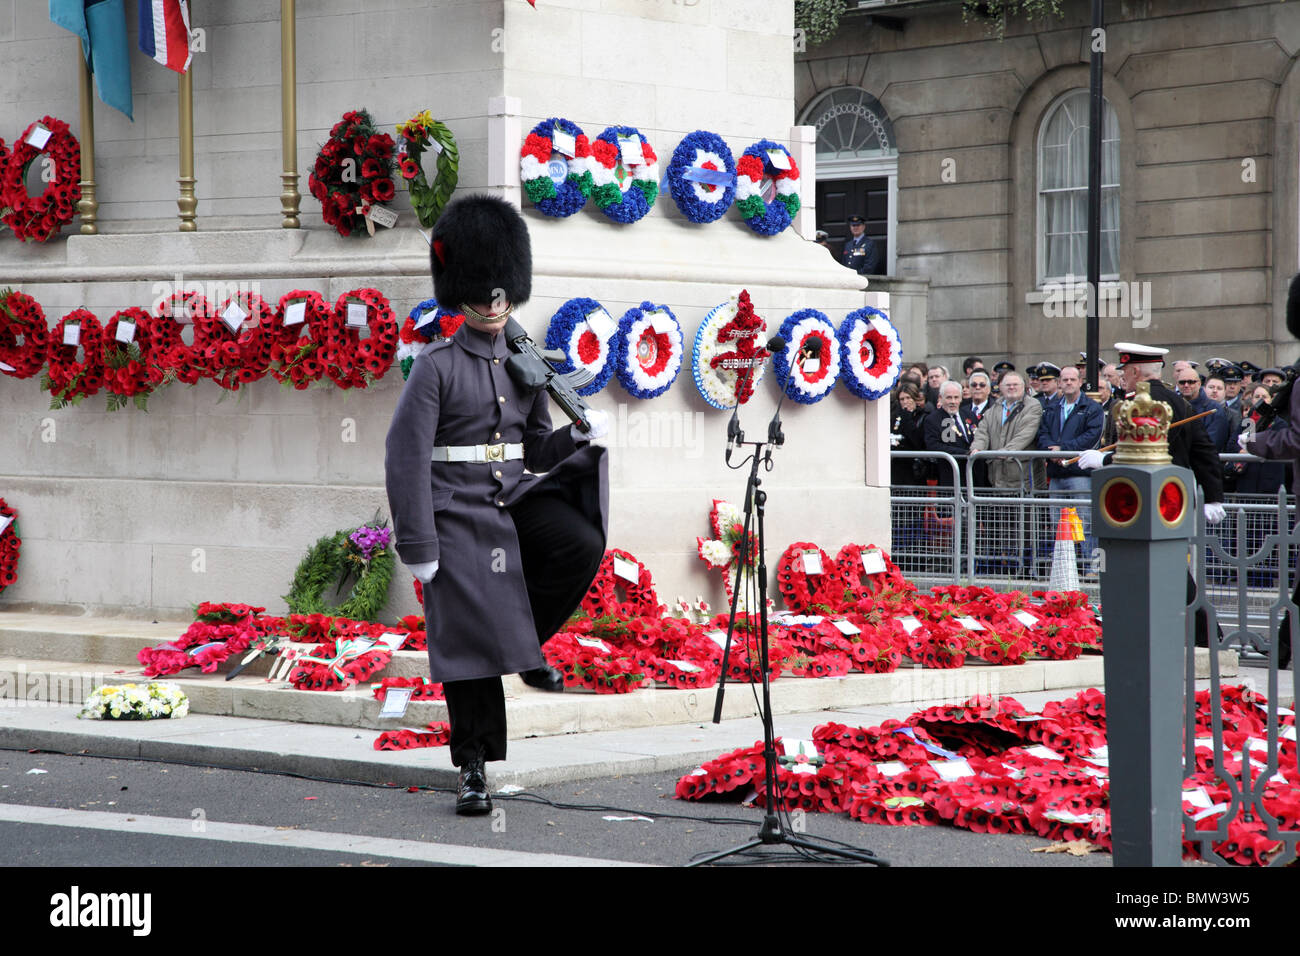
point(505, 555)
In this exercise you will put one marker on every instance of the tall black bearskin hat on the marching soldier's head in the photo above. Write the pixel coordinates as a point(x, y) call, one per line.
point(480, 252)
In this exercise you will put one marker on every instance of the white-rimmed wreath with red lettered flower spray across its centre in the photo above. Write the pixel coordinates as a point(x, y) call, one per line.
point(727, 360)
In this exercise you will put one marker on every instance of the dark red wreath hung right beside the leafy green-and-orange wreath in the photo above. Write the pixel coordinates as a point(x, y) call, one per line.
point(354, 174)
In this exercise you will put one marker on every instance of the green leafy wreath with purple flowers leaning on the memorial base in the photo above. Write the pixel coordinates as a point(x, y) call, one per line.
point(358, 557)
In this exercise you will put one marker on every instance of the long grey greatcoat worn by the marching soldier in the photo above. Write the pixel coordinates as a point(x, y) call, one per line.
point(476, 609)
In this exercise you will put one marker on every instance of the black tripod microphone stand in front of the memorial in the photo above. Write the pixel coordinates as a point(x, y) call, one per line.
point(773, 832)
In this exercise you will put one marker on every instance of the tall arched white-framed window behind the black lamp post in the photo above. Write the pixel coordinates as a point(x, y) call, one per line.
point(1063, 185)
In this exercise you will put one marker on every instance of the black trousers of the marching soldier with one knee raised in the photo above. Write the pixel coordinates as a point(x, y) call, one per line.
point(562, 552)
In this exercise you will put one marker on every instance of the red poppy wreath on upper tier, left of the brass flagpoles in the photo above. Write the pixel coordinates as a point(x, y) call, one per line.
point(40, 218)
